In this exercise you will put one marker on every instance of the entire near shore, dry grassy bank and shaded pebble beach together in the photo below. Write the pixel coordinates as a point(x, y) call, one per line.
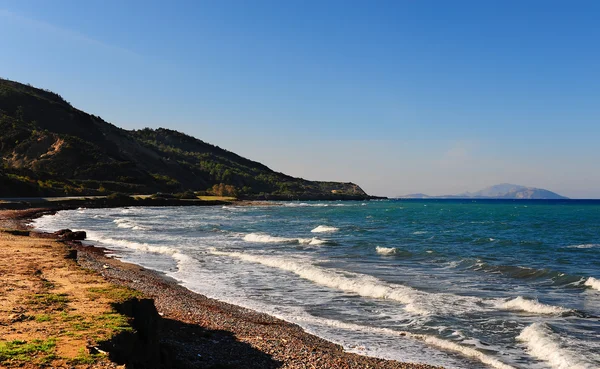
point(159, 323)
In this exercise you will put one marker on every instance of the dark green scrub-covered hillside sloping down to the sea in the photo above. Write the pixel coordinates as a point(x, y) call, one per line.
point(50, 148)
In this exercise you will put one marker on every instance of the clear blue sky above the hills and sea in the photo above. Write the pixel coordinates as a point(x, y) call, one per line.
point(400, 97)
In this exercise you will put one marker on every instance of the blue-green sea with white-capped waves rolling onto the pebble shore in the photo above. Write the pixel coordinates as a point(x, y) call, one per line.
point(458, 283)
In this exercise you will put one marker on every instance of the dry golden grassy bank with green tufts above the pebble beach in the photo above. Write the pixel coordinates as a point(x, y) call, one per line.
point(51, 310)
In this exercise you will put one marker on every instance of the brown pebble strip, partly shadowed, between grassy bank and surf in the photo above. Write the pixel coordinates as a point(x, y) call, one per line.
point(216, 333)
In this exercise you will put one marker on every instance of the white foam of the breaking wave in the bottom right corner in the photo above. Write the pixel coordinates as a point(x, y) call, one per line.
point(546, 345)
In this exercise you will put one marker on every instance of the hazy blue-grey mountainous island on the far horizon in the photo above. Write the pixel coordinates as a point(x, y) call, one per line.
point(501, 191)
